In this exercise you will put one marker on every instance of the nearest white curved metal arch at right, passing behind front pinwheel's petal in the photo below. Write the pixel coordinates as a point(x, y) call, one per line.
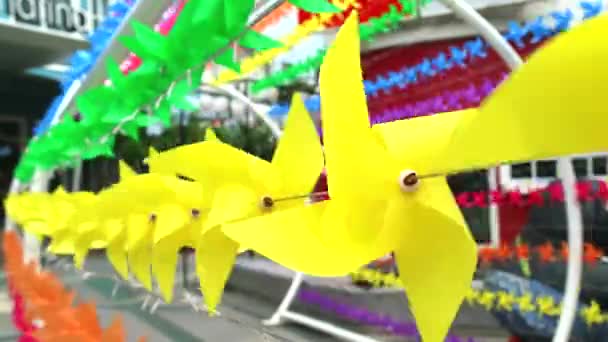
point(573, 214)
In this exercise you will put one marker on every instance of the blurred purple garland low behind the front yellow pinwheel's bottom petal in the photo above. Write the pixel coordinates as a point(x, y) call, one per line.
point(363, 316)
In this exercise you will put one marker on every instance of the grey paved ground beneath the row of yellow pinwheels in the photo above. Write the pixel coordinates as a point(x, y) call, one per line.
point(240, 319)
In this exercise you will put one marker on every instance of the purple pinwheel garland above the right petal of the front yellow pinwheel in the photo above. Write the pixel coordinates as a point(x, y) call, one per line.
point(468, 97)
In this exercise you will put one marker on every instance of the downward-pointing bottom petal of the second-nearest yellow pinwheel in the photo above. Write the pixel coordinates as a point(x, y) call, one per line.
point(215, 256)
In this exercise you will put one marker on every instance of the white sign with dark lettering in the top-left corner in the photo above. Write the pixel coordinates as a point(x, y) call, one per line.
point(71, 17)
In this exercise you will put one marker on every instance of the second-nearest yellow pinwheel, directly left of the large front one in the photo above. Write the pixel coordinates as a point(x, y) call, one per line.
point(238, 185)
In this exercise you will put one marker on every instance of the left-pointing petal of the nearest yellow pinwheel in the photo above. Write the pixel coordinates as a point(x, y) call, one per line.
point(290, 238)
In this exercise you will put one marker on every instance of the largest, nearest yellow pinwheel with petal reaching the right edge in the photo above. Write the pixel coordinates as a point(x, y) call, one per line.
point(387, 183)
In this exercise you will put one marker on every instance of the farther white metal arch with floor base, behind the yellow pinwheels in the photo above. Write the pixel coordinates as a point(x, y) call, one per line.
point(282, 311)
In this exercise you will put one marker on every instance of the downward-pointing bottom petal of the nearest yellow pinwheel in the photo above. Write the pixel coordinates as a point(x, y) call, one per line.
point(436, 255)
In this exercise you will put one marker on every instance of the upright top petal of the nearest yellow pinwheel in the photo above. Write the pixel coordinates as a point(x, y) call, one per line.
point(353, 155)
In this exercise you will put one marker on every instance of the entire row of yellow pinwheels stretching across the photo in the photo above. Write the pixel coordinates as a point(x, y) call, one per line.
point(387, 183)
